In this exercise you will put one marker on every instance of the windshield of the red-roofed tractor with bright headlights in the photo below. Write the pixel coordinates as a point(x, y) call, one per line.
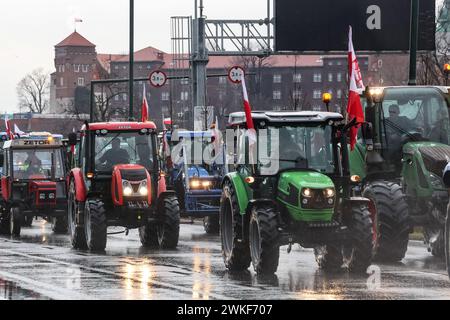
point(116, 148)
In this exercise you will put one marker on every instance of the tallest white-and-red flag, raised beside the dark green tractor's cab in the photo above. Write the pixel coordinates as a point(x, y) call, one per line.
point(356, 87)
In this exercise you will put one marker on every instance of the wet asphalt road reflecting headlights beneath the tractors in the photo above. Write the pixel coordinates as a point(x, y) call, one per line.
point(41, 265)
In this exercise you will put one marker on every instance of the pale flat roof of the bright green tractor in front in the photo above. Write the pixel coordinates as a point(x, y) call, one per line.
point(286, 117)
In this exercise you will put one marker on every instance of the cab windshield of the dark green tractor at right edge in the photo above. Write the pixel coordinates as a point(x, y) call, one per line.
point(413, 114)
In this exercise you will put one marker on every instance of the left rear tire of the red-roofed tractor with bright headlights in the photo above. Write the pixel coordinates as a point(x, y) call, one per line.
point(77, 235)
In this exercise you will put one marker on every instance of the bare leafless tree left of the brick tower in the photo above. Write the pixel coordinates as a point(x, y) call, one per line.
point(33, 91)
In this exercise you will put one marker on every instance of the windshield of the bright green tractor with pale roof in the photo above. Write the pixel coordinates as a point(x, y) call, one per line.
point(303, 147)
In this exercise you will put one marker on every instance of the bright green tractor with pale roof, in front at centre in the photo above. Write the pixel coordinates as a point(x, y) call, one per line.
point(298, 192)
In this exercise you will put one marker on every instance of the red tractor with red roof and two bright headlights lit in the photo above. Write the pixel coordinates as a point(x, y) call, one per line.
point(117, 182)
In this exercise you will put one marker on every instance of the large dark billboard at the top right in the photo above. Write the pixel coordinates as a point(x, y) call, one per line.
point(378, 25)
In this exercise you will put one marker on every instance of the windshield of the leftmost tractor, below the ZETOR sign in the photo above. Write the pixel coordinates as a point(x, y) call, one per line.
point(37, 164)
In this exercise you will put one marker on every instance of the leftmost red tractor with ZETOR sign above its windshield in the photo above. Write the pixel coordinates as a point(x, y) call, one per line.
point(33, 182)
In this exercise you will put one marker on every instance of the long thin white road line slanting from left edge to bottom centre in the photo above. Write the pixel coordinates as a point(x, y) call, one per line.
point(96, 270)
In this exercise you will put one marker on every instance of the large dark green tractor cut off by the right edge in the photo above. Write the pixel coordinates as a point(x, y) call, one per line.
point(402, 172)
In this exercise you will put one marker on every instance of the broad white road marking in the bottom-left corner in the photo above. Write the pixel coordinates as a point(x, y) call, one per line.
point(45, 289)
